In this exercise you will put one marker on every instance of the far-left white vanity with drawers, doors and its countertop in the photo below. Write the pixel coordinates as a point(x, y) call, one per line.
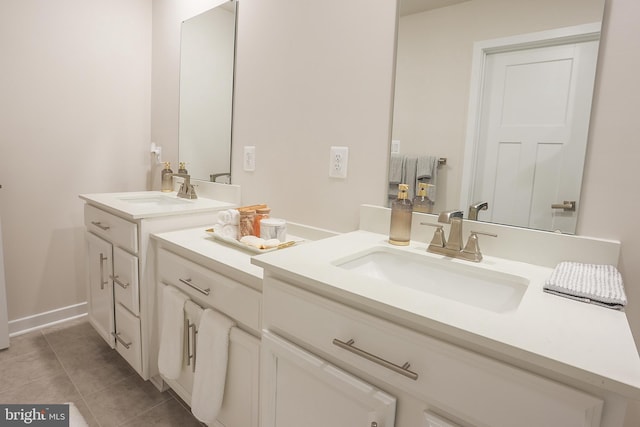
point(120, 266)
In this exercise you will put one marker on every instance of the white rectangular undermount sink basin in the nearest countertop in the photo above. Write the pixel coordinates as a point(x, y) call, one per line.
point(466, 283)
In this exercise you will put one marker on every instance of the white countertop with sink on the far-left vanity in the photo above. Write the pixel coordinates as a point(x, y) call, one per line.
point(135, 208)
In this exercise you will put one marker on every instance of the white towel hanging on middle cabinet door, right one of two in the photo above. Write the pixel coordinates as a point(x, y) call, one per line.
point(211, 369)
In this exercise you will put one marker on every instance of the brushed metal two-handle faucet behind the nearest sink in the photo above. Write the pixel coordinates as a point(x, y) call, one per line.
point(452, 247)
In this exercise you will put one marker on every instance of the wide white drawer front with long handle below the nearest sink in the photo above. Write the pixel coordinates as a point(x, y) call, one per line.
point(453, 381)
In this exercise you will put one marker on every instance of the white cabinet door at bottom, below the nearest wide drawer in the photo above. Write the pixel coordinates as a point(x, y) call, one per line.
point(300, 389)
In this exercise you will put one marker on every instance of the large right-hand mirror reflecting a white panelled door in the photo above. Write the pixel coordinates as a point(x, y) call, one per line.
point(501, 89)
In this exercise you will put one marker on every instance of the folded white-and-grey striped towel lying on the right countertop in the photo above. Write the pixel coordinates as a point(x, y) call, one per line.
point(592, 283)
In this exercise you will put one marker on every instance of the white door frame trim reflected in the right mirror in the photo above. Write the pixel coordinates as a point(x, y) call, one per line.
point(558, 36)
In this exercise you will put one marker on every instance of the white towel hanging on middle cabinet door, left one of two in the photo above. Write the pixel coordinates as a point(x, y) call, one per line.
point(172, 332)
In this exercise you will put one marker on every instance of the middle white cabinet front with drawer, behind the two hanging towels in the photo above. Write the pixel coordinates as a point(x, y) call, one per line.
point(210, 289)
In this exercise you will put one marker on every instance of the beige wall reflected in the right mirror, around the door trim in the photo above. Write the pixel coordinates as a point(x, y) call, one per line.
point(434, 72)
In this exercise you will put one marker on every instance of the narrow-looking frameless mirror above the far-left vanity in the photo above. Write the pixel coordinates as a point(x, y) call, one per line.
point(207, 53)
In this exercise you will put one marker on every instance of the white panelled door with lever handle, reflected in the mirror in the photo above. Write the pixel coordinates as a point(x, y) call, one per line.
point(533, 133)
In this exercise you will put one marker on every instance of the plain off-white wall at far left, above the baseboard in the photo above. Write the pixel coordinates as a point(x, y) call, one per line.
point(74, 118)
